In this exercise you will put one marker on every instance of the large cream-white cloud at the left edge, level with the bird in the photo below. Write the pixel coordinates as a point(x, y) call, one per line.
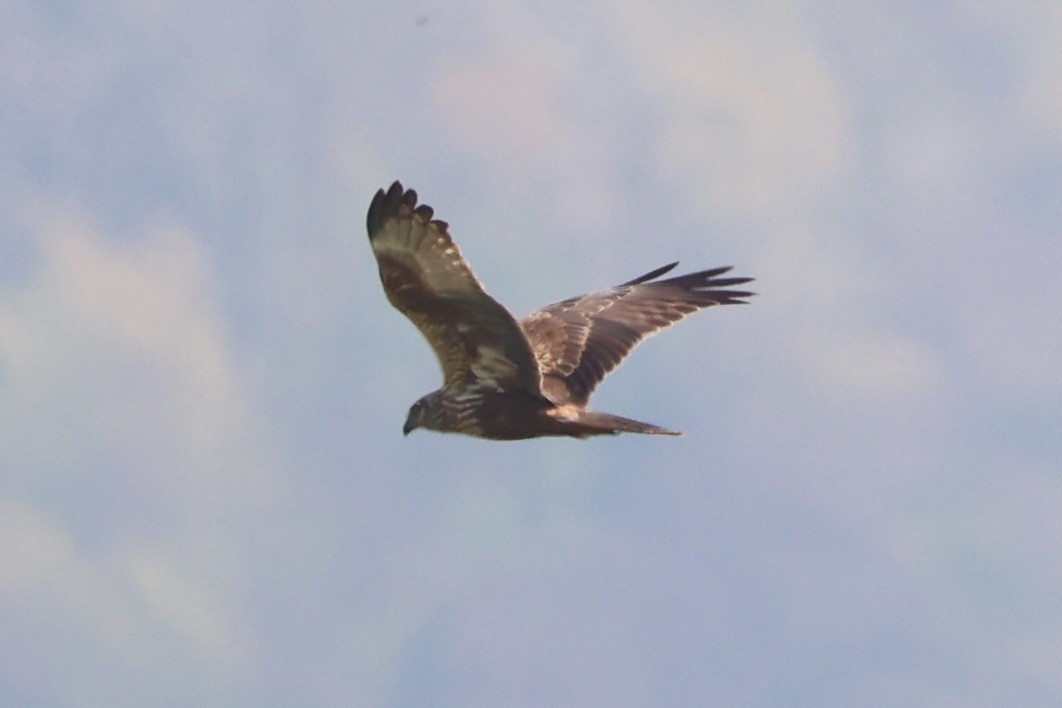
point(131, 342)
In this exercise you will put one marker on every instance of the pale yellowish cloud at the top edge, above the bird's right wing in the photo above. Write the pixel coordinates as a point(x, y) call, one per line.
point(752, 116)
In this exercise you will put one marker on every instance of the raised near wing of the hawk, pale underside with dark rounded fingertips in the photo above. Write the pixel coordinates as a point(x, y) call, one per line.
point(476, 340)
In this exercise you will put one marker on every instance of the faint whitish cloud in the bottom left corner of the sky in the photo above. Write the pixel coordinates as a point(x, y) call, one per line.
point(113, 626)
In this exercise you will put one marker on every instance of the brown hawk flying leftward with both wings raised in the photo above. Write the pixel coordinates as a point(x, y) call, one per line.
point(512, 379)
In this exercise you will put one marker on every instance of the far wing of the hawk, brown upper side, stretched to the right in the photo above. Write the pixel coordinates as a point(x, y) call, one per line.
point(579, 341)
